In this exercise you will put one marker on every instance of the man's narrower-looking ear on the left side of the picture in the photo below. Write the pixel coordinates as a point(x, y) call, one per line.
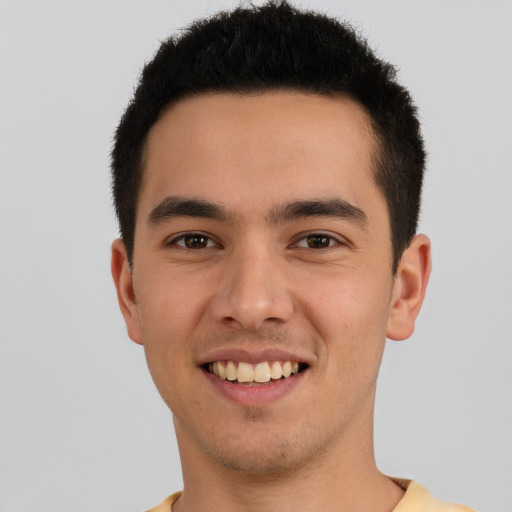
point(123, 280)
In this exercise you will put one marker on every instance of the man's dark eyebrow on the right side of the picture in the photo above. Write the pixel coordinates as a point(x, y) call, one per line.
point(335, 207)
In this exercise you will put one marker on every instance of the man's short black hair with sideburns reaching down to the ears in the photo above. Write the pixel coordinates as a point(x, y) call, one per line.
point(276, 47)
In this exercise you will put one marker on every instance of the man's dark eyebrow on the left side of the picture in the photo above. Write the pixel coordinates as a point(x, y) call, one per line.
point(175, 206)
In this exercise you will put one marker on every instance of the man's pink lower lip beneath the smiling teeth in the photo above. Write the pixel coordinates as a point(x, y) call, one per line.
point(256, 394)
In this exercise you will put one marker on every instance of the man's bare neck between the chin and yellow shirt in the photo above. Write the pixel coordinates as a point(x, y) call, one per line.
point(342, 478)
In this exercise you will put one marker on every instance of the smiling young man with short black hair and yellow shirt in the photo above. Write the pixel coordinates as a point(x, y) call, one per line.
point(267, 179)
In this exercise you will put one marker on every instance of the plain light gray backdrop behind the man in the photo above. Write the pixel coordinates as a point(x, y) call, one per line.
point(81, 426)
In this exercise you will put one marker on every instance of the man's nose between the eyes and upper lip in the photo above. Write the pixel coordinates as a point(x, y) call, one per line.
point(253, 292)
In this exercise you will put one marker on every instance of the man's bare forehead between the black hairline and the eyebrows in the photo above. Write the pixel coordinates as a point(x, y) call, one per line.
point(255, 150)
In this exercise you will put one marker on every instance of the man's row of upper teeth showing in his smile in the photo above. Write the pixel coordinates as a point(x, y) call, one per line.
point(247, 372)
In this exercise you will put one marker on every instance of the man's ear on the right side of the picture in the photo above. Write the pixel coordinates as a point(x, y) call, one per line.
point(409, 288)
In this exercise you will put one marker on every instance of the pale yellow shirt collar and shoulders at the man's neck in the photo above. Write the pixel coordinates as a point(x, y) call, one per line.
point(416, 499)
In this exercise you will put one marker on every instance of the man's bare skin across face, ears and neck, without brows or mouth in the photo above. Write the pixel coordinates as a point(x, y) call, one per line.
point(257, 285)
